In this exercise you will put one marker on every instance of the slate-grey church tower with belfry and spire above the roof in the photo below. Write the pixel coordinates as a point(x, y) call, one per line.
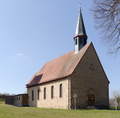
point(80, 37)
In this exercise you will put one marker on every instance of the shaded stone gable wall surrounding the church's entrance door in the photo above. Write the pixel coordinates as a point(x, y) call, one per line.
point(89, 78)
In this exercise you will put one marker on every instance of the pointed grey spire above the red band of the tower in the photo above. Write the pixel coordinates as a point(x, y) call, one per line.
point(80, 29)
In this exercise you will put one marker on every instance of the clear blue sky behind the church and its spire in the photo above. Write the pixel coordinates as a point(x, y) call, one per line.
point(35, 32)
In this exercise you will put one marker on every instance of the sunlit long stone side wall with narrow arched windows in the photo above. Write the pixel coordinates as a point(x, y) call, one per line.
point(56, 101)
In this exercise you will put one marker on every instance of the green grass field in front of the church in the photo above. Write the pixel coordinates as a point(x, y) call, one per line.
point(9, 111)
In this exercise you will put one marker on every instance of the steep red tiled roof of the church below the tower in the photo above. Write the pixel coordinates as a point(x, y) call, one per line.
point(60, 67)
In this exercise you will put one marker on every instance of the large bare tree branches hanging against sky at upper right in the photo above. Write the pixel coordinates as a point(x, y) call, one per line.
point(107, 18)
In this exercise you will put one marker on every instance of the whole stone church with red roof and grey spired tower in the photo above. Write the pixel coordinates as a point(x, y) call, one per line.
point(77, 74)
